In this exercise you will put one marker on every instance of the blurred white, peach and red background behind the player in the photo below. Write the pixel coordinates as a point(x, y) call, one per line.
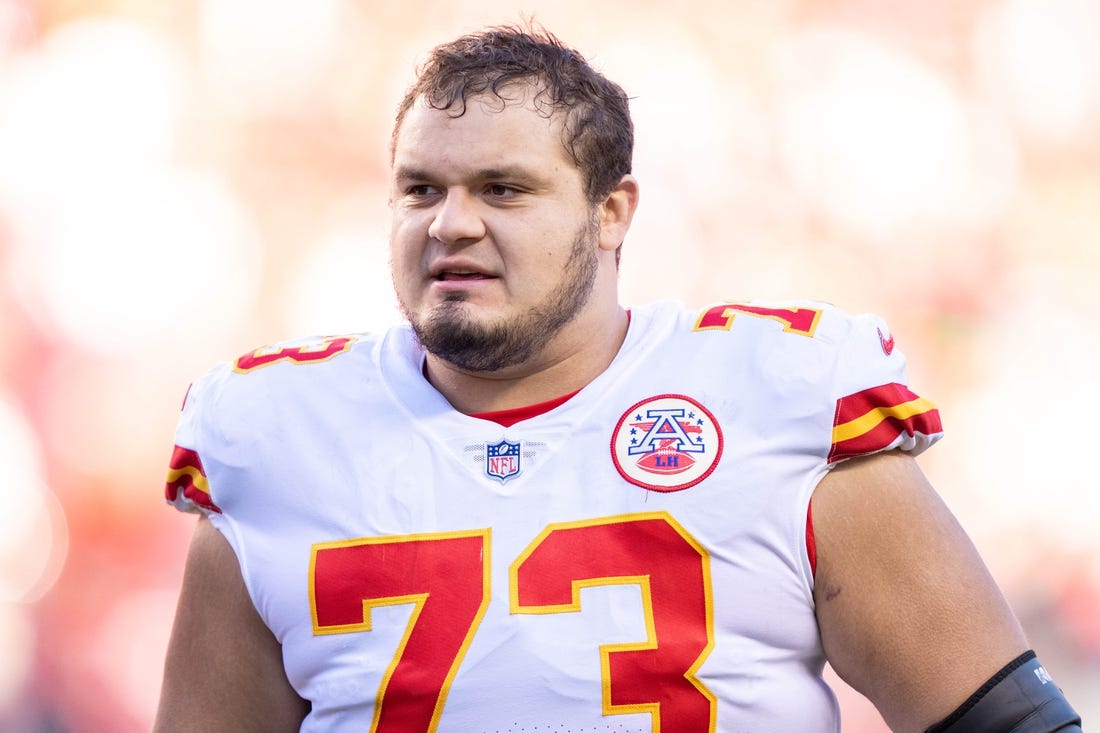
point(182, 181)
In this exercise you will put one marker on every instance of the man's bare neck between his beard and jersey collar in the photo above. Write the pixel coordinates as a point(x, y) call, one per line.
point(568, 363)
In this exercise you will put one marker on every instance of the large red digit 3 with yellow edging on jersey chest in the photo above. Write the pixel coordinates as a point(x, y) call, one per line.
point(657, 676)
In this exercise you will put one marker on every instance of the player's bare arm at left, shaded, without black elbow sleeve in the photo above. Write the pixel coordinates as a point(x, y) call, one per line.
point(224, 672)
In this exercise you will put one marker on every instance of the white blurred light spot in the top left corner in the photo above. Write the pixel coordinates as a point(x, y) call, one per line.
point(94, 102)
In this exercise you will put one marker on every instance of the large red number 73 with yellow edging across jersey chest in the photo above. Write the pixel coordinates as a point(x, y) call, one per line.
point(447, 578)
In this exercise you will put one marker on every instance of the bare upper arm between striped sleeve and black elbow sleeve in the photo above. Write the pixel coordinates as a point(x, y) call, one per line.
point(909, 615)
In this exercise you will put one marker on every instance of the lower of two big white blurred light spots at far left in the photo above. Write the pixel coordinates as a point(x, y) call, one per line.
point(126, 260)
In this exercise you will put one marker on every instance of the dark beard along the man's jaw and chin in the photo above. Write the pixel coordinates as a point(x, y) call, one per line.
point(477, 347)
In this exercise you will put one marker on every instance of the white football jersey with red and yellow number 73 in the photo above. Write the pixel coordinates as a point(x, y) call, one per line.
point(634, 560)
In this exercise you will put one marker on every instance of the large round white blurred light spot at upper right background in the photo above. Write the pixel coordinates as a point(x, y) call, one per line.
point(876, 139)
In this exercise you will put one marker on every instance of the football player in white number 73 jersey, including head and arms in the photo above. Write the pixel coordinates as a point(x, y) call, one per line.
point(533, 509)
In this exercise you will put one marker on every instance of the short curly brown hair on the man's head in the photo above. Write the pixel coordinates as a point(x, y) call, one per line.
point(599, 134)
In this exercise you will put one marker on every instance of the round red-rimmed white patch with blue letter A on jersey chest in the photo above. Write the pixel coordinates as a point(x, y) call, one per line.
point(667, 443)
